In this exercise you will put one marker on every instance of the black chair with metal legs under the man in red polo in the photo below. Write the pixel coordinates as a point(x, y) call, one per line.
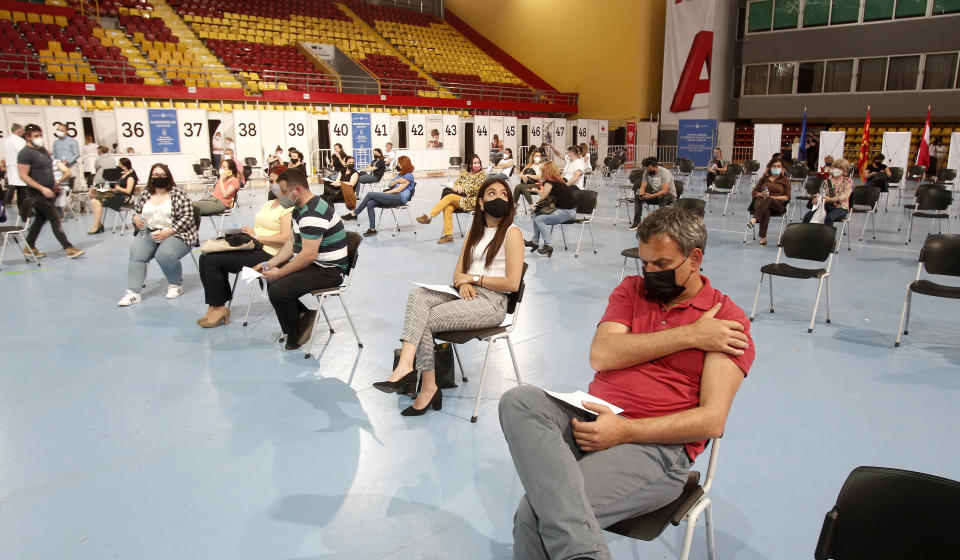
point(693, 501)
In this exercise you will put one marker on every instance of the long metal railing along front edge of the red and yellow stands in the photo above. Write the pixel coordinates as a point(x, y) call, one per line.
point(31, 67)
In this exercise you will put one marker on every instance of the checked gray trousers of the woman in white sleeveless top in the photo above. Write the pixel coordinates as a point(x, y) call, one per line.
point(429, 312)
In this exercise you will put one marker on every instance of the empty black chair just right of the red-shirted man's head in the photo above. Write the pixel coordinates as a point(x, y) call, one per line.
point(812, 242)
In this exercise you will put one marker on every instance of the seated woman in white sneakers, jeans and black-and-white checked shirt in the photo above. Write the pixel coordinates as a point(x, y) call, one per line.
point(166, 232)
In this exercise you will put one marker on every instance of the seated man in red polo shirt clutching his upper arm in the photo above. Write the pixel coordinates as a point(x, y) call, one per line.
point(671, 351)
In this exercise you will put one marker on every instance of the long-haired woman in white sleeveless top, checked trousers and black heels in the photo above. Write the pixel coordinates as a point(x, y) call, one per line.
point(489, 268)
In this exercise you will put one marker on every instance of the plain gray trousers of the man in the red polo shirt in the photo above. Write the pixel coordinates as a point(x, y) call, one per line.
point(572, 496)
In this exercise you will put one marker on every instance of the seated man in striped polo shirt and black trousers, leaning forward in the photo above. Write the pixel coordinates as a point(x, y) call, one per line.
point(314, 258)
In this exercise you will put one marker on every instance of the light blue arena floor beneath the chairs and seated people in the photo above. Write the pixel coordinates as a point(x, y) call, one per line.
point(133, 433)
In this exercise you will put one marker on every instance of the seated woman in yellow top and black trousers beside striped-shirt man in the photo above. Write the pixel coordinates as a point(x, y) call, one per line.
point(271, 229)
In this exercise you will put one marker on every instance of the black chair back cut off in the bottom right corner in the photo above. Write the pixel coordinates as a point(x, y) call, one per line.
point(891, 514)
